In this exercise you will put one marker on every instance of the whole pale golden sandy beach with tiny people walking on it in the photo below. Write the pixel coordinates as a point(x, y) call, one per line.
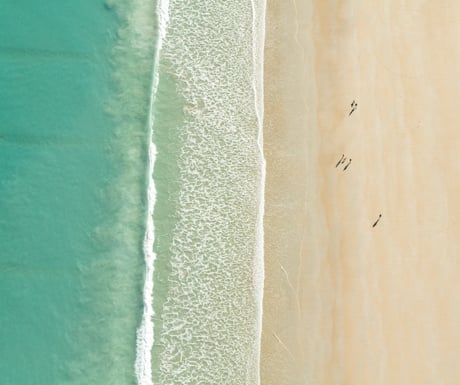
point(345, 303)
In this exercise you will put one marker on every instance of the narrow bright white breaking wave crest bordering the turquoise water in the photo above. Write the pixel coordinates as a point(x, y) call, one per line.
point(145, 336)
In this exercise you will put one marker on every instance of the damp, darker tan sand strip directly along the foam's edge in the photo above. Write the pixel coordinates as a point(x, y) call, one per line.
point(292, 202)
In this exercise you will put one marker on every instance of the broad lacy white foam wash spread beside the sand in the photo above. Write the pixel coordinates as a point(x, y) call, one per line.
point(211, 316)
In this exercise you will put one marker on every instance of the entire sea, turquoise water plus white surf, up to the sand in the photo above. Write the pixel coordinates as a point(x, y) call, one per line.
point(131, 191)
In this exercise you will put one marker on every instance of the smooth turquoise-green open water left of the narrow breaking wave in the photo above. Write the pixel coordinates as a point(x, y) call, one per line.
point(72, 195)
